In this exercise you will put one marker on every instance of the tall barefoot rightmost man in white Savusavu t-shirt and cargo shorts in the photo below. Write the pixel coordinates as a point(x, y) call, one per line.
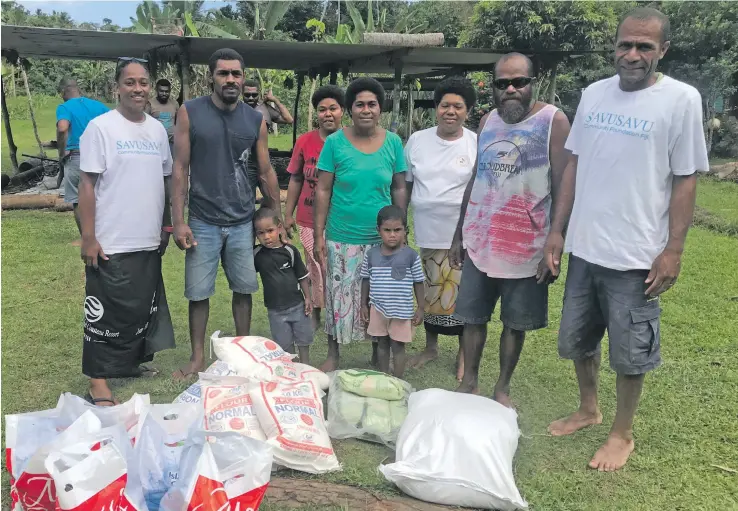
point(637, 145)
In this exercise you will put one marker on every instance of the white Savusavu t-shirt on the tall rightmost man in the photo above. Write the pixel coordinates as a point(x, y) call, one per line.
point(630, 145)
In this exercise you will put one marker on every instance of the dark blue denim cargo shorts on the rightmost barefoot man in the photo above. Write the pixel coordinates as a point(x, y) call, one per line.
point(597, 299)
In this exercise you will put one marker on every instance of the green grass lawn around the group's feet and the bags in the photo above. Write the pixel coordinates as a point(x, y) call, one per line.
point(685, 430)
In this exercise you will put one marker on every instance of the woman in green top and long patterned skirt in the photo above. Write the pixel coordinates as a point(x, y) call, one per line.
point(361, 170)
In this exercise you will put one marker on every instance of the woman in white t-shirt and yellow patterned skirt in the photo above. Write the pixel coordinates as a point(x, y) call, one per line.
point(440, 162)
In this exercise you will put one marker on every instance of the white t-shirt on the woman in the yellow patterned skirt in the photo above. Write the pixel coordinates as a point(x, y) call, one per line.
point(439, 170)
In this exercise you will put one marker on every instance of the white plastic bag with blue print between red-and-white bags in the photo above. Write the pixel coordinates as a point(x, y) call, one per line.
point(159, 447)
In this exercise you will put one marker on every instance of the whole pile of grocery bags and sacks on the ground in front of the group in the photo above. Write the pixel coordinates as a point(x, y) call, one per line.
point(253, 411)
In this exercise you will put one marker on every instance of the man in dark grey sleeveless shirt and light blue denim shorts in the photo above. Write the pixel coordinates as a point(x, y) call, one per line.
point(215, 137)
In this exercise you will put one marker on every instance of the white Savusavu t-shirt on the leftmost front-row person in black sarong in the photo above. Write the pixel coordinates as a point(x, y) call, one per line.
point(131, 160)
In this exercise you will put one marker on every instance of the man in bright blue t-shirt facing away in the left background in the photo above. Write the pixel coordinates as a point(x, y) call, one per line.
point(72, 118)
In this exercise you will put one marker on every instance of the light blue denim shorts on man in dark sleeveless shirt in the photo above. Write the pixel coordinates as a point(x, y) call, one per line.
point(233, 245)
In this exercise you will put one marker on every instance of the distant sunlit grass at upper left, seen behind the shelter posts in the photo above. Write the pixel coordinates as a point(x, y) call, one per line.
point(45, 110)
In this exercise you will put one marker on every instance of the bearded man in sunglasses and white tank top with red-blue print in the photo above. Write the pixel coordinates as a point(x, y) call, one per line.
point(505, 217)
